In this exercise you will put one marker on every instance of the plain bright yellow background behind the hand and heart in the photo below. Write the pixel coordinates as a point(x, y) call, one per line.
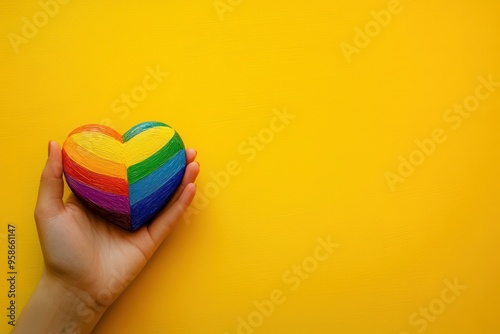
point(322, 175)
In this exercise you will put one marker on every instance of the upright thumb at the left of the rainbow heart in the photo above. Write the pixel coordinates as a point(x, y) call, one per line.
point(51, 189)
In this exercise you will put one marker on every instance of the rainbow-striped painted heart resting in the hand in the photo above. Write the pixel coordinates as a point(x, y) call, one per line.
point(125, 179)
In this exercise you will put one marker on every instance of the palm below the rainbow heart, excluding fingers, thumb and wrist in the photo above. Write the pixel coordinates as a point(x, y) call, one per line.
point(90, 254)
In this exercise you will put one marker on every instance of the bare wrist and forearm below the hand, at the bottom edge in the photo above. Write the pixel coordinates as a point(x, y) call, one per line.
point(55, 308)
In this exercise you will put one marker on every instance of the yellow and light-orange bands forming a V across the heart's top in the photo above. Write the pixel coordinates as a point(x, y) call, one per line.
point(105, 155)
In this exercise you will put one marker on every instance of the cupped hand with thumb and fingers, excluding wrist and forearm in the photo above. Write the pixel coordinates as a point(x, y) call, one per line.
point(89, 254)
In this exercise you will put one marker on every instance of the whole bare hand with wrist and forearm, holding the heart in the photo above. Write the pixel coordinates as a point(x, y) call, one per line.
point(89, 262)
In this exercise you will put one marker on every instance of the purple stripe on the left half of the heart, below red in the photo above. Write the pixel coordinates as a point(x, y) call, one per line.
point(108, 201)
